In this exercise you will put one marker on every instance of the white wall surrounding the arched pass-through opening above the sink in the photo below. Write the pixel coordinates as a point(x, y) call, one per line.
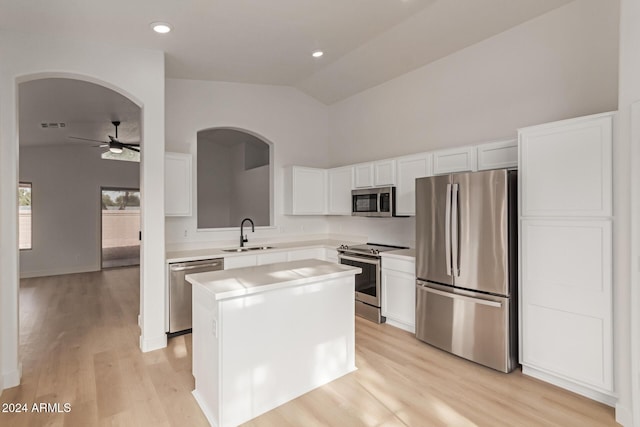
point(294, 123)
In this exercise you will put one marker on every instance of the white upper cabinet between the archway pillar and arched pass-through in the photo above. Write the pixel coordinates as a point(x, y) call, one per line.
point(177, 184)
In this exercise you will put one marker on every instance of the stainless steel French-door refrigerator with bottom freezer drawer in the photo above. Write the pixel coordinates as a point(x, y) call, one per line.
point(466, 260)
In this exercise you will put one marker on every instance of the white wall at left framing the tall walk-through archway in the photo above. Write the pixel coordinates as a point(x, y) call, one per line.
point(27, 57)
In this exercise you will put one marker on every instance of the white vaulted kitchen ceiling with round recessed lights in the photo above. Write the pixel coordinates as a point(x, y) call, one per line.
point(366, 42)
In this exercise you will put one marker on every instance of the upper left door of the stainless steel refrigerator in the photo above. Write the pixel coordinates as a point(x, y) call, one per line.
point(433, 248)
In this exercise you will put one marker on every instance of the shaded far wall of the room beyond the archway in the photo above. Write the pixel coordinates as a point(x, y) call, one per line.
point(66, 182)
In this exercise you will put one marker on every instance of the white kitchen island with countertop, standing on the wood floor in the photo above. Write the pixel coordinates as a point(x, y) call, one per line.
point(265, 335)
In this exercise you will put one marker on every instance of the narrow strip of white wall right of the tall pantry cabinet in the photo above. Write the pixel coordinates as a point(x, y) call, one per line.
point(627, 220)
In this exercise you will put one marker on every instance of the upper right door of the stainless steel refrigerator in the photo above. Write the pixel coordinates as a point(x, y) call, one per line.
point(480, 234)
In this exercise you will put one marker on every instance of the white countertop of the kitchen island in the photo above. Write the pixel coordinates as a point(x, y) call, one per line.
point(237, 282)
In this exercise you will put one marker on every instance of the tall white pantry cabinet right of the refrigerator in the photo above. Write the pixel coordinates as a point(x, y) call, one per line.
point(565, 192)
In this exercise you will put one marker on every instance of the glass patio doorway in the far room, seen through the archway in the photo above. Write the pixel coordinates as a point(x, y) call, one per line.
point(120, 225)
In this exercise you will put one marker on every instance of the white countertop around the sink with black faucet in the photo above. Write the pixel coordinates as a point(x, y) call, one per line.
point(199, 254)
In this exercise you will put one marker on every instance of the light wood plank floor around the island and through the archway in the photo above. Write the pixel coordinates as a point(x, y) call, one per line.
point(79, 345)
